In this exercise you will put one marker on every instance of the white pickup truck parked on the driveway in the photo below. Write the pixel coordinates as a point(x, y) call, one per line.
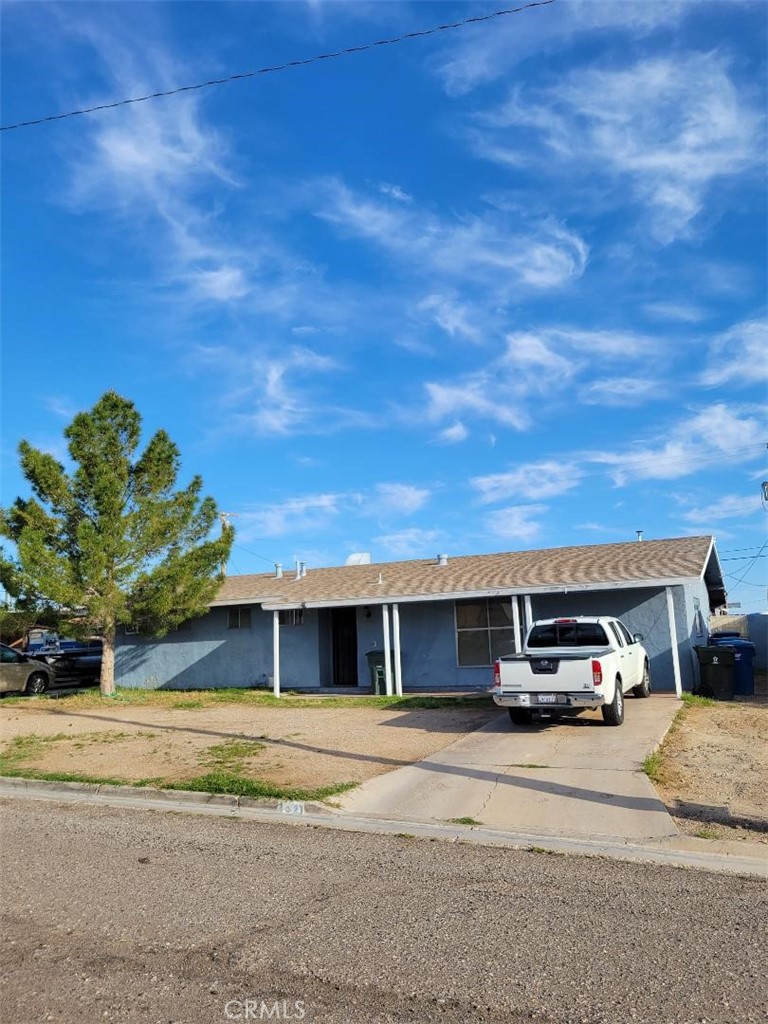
point(568, 665)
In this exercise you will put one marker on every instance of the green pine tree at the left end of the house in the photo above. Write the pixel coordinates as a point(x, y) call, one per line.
point(112, 542)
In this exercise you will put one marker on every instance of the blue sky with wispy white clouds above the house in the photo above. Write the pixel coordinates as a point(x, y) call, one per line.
point(494, 289)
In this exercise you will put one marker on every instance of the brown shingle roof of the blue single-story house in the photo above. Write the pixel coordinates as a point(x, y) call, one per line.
point(631, 563)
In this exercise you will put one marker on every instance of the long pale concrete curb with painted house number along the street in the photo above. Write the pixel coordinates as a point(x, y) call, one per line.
point(668, 852)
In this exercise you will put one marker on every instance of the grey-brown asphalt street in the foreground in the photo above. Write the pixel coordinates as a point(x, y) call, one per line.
point(127, 916)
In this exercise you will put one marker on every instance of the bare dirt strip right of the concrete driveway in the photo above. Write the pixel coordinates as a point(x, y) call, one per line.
point(713, 771)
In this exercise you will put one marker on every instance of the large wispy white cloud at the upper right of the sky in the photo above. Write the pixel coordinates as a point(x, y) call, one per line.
point(671, 127)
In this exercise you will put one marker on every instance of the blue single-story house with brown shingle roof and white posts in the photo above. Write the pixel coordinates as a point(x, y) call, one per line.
point(436, 624)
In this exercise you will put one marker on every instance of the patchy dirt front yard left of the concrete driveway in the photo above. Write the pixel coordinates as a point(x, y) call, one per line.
point(305, 748)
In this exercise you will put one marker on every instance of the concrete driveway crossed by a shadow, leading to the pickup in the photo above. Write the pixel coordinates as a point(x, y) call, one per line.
point(576, 778)
